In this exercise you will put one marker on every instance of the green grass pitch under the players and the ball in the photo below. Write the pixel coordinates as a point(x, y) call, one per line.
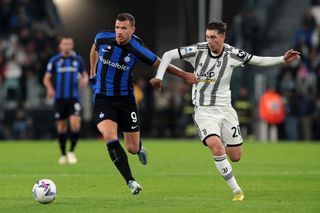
point(180, 177)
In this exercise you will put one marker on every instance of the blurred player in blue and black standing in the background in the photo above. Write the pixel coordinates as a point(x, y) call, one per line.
point(61, 82)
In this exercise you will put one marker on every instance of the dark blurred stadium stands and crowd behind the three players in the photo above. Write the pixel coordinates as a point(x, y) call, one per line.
point(28, 37)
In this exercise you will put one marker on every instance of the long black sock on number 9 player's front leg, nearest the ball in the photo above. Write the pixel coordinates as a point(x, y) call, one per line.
point(120, 159)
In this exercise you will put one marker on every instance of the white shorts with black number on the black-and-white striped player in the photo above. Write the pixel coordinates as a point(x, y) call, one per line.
point(220, 121)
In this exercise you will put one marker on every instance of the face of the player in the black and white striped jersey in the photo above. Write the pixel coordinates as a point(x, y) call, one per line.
point(215, 41)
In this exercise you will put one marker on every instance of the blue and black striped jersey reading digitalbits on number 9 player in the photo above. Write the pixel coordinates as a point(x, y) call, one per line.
point(116, 63)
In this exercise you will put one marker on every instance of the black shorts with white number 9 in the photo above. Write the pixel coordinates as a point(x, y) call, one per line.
point(120, 109)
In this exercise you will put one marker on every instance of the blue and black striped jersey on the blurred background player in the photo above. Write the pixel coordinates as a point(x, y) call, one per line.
point(65, 71)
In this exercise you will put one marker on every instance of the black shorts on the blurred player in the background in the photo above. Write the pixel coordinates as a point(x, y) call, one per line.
point(63, 108)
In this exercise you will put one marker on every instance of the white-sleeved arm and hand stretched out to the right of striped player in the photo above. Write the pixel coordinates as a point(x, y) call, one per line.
point(289, 56)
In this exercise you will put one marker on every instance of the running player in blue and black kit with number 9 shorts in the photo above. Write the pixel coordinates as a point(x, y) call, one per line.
point(112, 59)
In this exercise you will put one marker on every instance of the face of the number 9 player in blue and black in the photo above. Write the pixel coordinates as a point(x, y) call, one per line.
point(124, 31)
